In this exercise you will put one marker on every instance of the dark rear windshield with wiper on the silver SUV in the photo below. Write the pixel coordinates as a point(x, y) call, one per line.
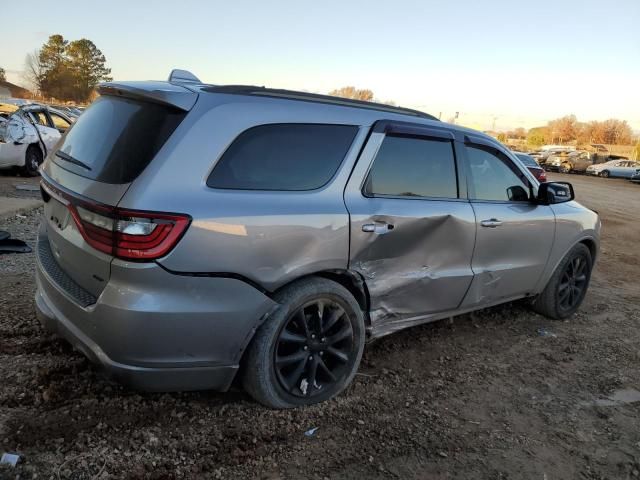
point(116, 138)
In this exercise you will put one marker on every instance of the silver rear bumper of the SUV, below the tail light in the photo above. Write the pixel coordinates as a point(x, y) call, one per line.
point(156, 331)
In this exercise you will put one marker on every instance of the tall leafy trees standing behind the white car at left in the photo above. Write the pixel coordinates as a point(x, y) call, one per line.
point(67, 70)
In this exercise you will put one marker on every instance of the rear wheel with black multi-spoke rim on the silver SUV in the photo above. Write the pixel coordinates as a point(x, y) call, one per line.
point(273, 378)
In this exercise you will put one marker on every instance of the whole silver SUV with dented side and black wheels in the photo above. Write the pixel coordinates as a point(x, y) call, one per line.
point(193, 234)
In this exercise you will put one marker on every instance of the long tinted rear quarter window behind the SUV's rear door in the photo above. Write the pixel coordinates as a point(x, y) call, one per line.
point(283, 157)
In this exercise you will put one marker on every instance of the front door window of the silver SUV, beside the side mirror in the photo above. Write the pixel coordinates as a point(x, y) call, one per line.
point(494, 176)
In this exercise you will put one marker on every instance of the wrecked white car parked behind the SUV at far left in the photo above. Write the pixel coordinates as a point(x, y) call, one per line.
point(28, 134)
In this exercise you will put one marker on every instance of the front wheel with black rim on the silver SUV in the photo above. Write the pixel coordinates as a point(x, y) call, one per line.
point(560, 299)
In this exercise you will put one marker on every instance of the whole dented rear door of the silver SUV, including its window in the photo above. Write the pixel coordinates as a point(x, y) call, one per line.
point(412, 231)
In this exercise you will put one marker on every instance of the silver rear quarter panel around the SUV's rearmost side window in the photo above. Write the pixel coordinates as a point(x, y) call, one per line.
point(267, 237)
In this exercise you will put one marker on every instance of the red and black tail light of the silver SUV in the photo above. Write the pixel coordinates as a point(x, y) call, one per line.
point(123, 233)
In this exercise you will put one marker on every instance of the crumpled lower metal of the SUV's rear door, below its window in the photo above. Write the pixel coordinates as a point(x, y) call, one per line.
point(422, 266)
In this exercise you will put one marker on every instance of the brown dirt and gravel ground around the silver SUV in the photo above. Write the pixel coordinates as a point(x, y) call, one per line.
point(500, 394)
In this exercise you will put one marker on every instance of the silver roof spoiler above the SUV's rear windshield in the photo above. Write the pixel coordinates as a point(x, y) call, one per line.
point(164, 93)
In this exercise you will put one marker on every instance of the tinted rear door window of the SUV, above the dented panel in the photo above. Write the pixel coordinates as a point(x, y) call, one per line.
point(413, 167)
